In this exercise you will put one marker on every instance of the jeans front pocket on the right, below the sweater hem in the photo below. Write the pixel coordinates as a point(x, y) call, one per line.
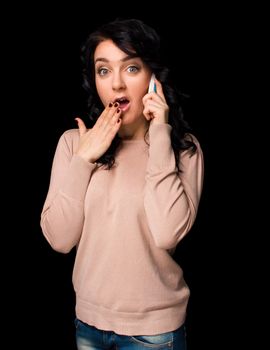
point(154, 341)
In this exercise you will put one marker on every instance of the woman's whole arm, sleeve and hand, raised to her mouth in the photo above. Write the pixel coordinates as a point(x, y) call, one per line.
point(62, 217)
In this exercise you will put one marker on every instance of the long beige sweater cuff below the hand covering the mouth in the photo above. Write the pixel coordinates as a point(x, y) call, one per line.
point(78, 178)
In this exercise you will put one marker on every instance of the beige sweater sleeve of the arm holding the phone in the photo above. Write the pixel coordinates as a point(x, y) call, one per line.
point(171, 198)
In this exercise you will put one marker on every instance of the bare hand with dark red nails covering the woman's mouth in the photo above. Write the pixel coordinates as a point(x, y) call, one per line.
point(96, 141)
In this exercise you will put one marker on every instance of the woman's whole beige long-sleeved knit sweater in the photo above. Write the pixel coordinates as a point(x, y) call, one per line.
point(126, 223)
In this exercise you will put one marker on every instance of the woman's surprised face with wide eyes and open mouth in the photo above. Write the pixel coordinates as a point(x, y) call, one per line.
point(123, 79)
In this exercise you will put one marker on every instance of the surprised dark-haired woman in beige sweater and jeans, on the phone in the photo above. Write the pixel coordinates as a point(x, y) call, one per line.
point(125, 192)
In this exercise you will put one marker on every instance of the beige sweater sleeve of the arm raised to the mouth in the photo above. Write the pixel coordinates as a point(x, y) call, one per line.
point(62, 216)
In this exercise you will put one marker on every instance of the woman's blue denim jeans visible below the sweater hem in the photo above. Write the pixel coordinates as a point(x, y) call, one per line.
point(89, 337)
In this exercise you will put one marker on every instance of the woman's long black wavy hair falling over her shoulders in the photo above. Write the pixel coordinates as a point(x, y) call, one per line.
point(135, 38)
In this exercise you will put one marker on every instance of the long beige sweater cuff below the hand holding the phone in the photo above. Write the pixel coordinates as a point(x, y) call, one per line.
point(160, 151)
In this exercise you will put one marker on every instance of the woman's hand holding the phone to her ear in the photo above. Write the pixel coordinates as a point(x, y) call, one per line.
point(155, 107)
